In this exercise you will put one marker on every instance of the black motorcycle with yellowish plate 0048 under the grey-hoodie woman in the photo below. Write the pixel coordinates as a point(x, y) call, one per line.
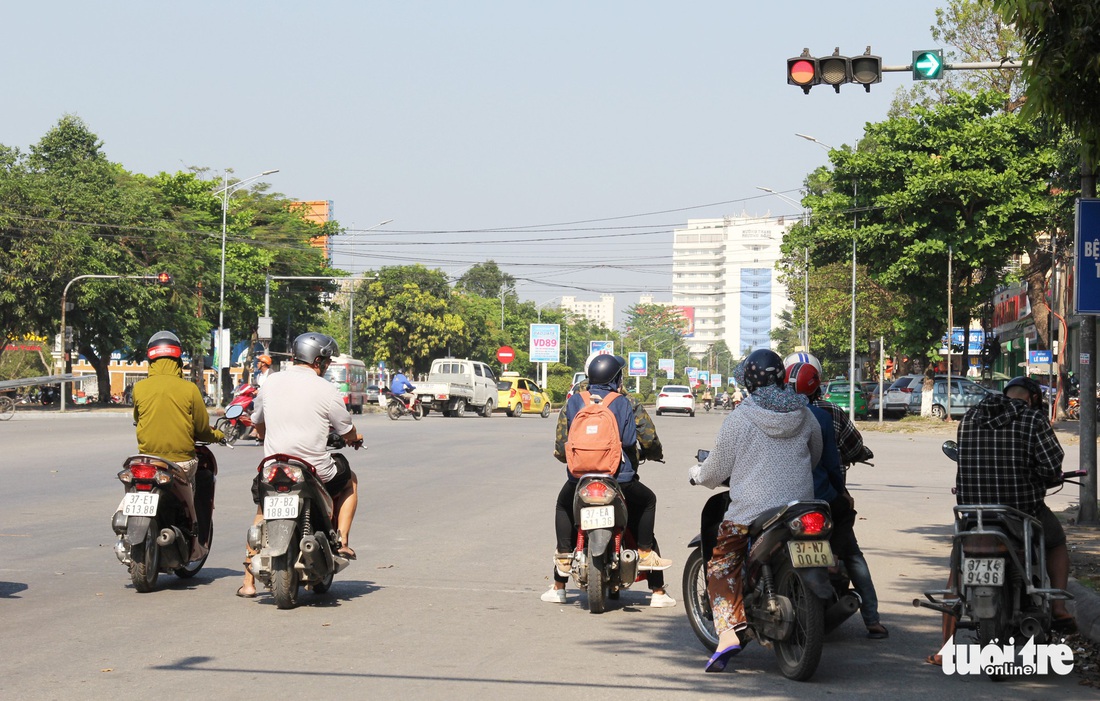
point(791, 598)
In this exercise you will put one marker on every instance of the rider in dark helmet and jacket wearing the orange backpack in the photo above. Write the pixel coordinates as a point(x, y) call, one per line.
point(606, 375)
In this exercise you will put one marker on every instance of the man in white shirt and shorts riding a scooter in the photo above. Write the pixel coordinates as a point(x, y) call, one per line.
point(295, 412)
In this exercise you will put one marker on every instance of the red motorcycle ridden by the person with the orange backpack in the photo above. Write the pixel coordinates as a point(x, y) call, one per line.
point(606, 558)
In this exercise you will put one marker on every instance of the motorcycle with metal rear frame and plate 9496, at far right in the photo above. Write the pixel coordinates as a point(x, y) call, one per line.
point(999, 586)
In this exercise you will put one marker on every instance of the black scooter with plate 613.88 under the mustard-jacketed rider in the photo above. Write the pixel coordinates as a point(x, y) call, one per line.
point(158, 530)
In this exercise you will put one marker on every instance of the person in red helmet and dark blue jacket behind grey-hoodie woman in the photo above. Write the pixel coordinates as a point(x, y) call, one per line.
point(830, 485)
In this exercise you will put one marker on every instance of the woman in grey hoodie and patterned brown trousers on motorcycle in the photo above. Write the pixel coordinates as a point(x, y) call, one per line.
point(767, 450)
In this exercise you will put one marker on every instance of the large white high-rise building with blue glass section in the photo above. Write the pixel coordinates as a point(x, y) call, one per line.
point(724, 270)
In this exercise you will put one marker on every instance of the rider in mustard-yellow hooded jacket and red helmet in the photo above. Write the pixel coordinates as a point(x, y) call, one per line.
point(170, 412)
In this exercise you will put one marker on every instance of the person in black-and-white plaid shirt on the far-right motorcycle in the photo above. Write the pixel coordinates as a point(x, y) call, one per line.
point(1008, 455)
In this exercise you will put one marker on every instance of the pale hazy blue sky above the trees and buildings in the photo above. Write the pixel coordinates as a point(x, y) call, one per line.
point(564, 140)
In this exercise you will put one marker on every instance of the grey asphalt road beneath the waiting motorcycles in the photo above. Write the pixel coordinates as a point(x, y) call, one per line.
point(455, 541)
